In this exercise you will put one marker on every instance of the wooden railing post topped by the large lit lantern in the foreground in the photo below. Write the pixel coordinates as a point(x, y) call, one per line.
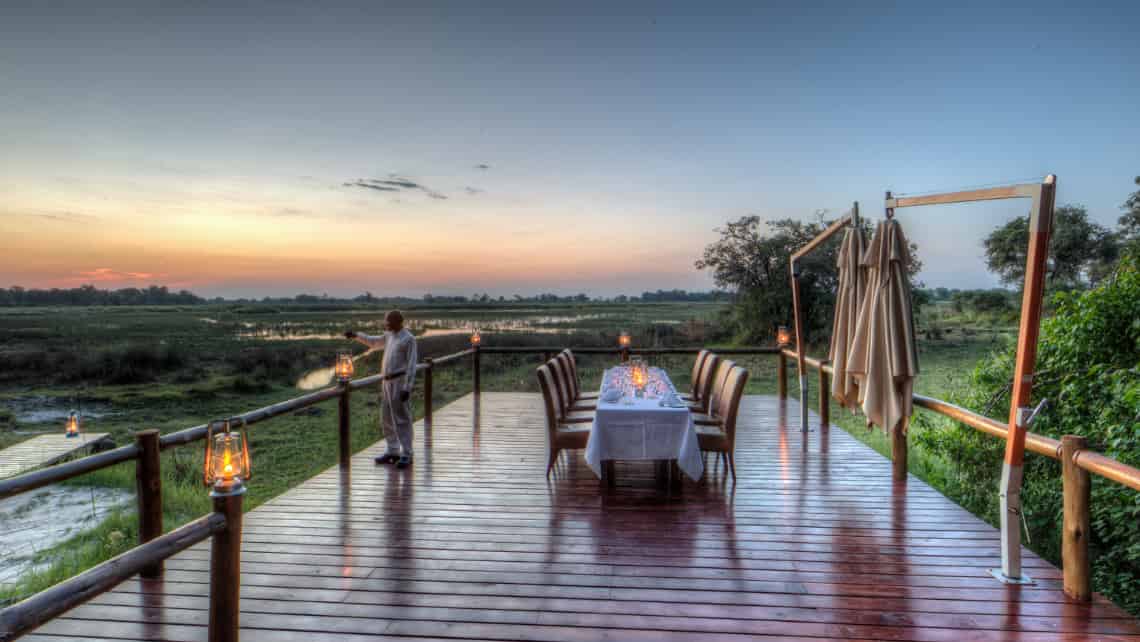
point(226, 572)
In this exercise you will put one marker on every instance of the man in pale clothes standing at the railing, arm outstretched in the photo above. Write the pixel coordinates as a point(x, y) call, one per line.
point(400, 375)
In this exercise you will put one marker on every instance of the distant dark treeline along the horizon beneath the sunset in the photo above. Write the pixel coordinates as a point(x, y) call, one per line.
point(162, 296)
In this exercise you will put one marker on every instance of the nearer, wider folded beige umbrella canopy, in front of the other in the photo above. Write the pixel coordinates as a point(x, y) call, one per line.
point(883, 356)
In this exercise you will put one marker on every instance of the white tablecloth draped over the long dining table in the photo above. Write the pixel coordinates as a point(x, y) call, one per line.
point(644, 430)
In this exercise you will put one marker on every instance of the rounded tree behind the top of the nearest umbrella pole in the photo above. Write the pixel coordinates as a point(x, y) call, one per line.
point(1081, 251)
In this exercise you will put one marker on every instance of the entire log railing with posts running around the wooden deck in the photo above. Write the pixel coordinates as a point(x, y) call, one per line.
point(225, 524)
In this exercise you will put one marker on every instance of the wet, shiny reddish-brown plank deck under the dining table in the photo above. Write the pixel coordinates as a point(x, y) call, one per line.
point(815, 542)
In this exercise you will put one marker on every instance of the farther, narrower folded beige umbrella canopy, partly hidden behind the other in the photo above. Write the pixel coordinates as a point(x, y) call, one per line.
point(852, 287)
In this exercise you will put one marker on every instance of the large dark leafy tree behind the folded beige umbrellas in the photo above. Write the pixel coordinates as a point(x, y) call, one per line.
point(755, 266)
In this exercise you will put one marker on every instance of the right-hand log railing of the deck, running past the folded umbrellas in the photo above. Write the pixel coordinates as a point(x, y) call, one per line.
point(1078, 464)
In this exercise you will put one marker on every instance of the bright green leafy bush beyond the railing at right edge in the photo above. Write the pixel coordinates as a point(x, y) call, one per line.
point(1089, 369)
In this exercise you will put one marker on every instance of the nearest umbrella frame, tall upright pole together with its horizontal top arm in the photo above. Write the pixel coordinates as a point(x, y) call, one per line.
point(1021, 412)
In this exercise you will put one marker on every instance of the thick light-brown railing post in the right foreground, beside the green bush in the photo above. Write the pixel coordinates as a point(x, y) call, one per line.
point(1076, 532)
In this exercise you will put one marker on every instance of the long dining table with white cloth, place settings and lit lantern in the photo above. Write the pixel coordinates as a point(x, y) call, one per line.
point(642, 420)
